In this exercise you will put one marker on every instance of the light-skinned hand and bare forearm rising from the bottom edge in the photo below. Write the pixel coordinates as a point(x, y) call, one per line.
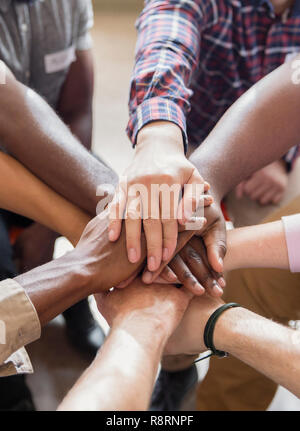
point(123, 374)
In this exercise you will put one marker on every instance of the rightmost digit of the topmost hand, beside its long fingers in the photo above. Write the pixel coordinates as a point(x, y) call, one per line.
point(192, 201)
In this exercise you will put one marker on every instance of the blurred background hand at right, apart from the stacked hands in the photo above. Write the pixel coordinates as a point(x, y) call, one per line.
point(266, 186)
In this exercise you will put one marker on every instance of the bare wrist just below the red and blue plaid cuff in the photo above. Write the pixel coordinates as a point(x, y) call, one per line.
point(163, 133)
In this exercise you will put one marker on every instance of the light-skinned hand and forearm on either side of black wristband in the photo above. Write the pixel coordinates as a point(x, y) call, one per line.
point(270, 348)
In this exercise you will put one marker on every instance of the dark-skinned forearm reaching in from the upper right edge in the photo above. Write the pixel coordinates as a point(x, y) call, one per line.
point(258, 129)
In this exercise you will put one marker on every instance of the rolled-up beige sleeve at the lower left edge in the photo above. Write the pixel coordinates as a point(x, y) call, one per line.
point(19, 326)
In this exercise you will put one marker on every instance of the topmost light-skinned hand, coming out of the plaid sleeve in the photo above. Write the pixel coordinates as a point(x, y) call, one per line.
point(159, 159)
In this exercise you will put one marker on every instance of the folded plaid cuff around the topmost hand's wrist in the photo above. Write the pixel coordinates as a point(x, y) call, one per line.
point(156, 109)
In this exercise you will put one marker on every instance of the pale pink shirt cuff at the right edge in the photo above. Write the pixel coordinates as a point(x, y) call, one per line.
point(292, 233)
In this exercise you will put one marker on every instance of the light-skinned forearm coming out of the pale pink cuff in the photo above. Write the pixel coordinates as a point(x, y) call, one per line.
point(261, 246)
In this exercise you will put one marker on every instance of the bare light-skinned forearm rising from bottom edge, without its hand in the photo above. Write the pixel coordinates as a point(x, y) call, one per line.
point(123, 374)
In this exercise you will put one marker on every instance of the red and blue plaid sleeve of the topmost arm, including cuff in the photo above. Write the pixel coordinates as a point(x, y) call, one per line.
point(167, 54)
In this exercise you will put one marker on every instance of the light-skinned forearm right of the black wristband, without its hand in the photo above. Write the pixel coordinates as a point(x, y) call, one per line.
point(270, 348)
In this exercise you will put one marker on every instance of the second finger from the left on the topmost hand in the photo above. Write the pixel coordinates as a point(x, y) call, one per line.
point(133, 226)
